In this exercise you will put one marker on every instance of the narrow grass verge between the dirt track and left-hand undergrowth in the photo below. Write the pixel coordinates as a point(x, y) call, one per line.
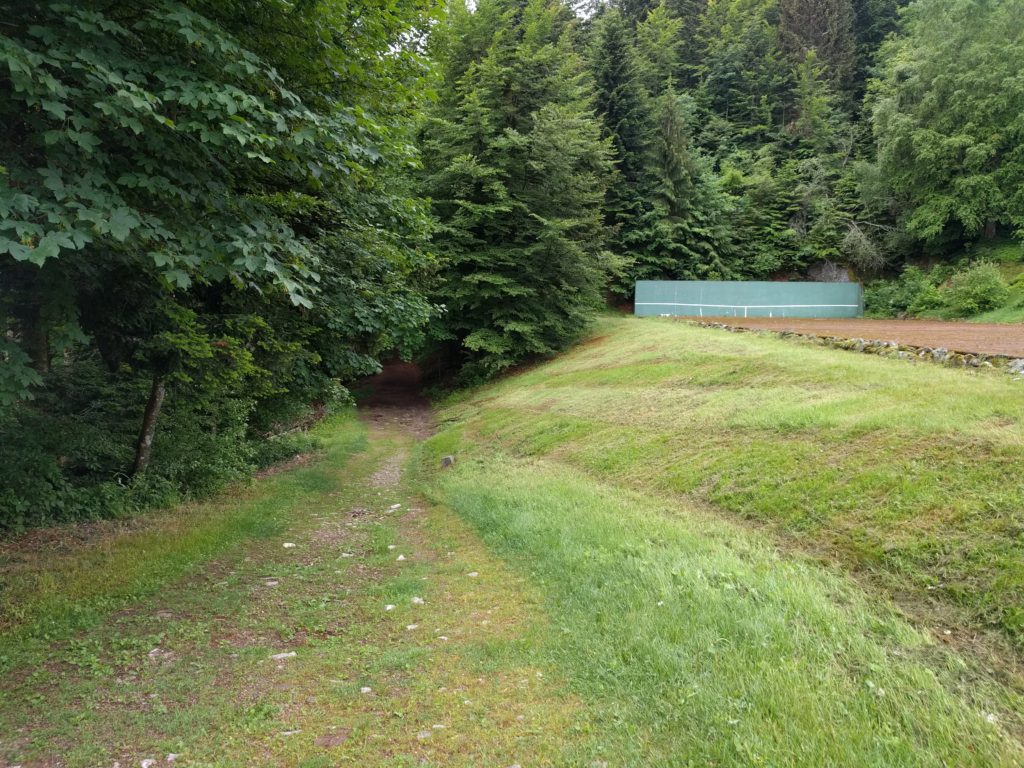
point(63, 580)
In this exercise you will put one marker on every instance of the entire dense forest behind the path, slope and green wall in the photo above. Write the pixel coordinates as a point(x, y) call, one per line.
point(216, 216)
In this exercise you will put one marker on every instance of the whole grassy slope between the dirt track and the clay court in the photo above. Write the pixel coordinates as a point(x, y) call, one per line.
point(604, 476)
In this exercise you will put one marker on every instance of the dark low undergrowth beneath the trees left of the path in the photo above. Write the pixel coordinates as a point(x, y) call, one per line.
point(67, 455)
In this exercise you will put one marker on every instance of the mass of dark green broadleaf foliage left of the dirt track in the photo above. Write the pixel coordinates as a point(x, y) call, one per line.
point(214, 197)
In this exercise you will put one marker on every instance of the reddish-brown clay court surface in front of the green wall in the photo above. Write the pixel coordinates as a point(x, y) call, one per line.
point(959, 337)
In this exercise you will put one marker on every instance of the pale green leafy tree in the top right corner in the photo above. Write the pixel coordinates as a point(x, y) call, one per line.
point(947, 113)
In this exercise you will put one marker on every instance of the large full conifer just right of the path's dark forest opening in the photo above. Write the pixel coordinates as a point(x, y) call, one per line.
point(518, 172)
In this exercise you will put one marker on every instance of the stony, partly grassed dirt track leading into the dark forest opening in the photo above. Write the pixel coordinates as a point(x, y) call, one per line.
point(373, 630)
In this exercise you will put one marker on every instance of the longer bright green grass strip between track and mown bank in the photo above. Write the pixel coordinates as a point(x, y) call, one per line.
point(701, 646)
